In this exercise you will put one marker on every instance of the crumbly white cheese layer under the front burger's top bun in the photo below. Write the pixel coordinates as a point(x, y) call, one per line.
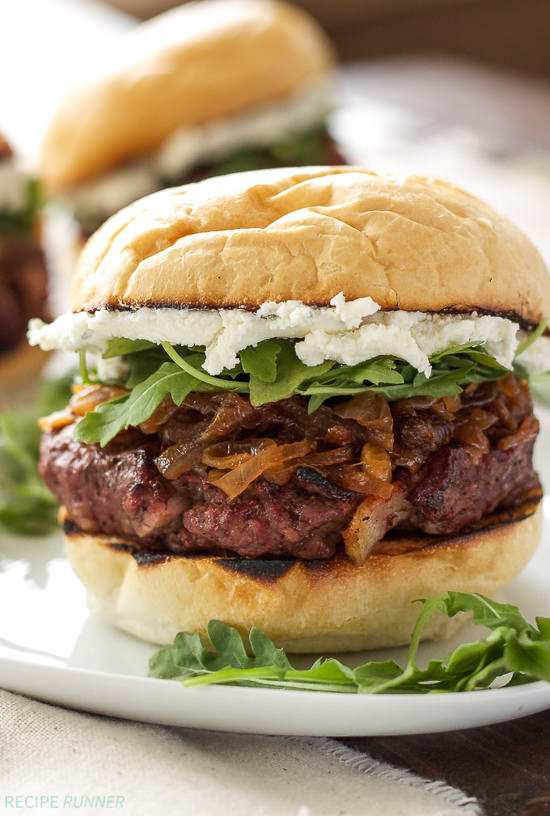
point(348, 332)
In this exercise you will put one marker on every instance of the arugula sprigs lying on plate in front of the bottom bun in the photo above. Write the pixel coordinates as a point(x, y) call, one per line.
point(514, 650)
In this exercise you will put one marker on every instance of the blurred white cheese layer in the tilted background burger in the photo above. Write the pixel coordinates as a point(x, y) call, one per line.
point(189, 147)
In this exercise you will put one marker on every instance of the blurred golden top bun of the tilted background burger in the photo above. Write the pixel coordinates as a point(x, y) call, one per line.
point(199, 62)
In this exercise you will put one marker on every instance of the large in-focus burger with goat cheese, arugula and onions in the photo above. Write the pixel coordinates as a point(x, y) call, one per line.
point(303, 404)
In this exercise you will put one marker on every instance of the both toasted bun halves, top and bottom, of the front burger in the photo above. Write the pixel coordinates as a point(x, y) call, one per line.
point(307, 234)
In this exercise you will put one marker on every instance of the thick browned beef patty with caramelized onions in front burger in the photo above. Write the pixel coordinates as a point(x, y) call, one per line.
point(453, 460)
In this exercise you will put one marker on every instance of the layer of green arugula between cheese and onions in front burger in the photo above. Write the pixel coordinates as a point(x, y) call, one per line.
point(268, 372)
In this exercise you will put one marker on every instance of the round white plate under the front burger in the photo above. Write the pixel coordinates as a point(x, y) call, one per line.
point(52, 648)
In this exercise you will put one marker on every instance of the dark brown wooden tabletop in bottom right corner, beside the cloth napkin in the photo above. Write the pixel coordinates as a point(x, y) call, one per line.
point(506, 766)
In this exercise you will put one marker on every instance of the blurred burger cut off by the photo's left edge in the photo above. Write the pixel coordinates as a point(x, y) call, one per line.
point(23, 275)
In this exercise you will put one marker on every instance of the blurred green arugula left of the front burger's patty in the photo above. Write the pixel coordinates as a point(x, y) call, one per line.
point(26, 505)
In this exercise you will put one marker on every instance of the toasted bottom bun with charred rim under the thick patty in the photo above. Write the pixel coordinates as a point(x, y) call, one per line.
point(304, 606)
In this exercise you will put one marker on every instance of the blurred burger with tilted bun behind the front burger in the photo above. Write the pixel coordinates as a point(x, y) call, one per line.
point(209, 88)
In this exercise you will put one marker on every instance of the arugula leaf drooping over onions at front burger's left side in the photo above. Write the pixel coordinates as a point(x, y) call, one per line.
point(109, 418)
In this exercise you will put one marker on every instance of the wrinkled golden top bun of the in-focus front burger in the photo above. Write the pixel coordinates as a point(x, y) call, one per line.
point(307, 234)
